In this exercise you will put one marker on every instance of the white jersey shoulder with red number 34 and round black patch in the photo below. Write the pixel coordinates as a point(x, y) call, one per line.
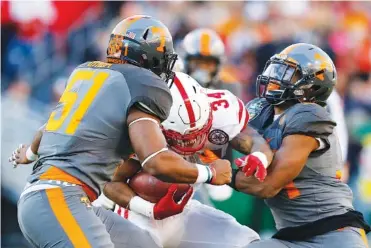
point(230, 117)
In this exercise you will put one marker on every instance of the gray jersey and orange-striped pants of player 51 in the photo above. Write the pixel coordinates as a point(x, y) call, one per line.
point(84, 140)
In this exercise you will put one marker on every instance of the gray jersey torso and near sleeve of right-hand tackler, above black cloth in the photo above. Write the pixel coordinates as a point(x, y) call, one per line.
point(316, 192)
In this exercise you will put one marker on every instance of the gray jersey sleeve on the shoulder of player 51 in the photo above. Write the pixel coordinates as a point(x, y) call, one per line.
point(148, 92)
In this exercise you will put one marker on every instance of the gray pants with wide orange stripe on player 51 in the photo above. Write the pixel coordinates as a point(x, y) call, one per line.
point(63, 217)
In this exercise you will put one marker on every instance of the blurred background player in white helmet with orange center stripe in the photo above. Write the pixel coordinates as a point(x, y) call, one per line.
point(203, 59)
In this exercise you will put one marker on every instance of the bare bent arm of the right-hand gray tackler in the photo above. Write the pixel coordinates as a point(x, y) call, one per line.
point(288, 162)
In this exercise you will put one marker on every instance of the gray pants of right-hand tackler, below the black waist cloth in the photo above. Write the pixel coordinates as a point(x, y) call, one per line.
point(349, 237)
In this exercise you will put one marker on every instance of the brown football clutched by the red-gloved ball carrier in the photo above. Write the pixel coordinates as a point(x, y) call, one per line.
point(152, 189)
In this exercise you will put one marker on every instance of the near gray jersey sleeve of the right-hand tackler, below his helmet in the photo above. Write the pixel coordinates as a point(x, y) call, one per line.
point(308, 119)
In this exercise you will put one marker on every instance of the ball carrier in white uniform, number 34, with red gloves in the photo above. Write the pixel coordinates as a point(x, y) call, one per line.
point(199, 120)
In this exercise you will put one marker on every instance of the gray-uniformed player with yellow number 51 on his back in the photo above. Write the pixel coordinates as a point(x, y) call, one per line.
point(107, 111)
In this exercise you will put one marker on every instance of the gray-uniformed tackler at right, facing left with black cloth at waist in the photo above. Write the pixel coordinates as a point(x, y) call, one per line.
point(311, 206)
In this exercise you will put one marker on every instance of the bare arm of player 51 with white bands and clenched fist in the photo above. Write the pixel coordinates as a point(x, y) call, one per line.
point(147, 139)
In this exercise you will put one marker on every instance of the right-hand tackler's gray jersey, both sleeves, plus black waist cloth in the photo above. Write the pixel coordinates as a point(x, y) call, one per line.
point(317, 194)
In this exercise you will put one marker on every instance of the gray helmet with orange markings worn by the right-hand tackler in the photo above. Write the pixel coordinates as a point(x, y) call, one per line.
point(303, 74)
